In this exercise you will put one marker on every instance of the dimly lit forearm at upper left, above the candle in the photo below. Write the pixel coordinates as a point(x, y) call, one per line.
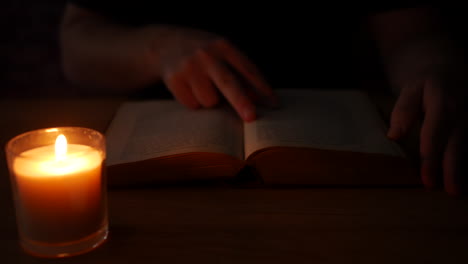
point(103, 56)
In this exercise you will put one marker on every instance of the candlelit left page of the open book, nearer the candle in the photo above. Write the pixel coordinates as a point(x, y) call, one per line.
point(151, 129)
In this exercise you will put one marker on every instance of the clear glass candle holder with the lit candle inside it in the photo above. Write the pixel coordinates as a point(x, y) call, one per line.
point(59, 187)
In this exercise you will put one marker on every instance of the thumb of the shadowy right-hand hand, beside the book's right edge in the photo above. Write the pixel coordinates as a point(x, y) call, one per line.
point(406, 111)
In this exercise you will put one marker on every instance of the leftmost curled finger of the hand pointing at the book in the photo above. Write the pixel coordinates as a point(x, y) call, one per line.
point(181, 91)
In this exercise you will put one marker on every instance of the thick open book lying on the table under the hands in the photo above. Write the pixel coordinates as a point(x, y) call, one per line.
point(316, 137)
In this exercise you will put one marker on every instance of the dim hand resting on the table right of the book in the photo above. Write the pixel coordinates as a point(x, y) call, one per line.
point(434, 86)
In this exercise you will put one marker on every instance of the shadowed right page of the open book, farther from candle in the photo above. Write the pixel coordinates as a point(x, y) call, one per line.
point(325, 119)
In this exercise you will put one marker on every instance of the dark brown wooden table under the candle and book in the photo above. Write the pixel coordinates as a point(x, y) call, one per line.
point(207, 224)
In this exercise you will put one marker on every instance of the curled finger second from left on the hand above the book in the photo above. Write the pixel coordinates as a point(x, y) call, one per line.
point(202, 87)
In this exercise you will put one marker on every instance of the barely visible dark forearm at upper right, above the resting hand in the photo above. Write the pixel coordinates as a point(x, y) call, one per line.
point(412, 42)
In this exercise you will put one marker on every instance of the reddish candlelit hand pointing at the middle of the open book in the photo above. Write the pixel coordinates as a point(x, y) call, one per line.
point(200, 68)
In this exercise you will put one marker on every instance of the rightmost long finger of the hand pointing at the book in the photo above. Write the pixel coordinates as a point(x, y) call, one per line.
point(247, 69)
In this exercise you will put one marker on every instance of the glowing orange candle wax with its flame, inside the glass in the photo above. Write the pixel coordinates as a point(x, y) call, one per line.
point(59, 196)
